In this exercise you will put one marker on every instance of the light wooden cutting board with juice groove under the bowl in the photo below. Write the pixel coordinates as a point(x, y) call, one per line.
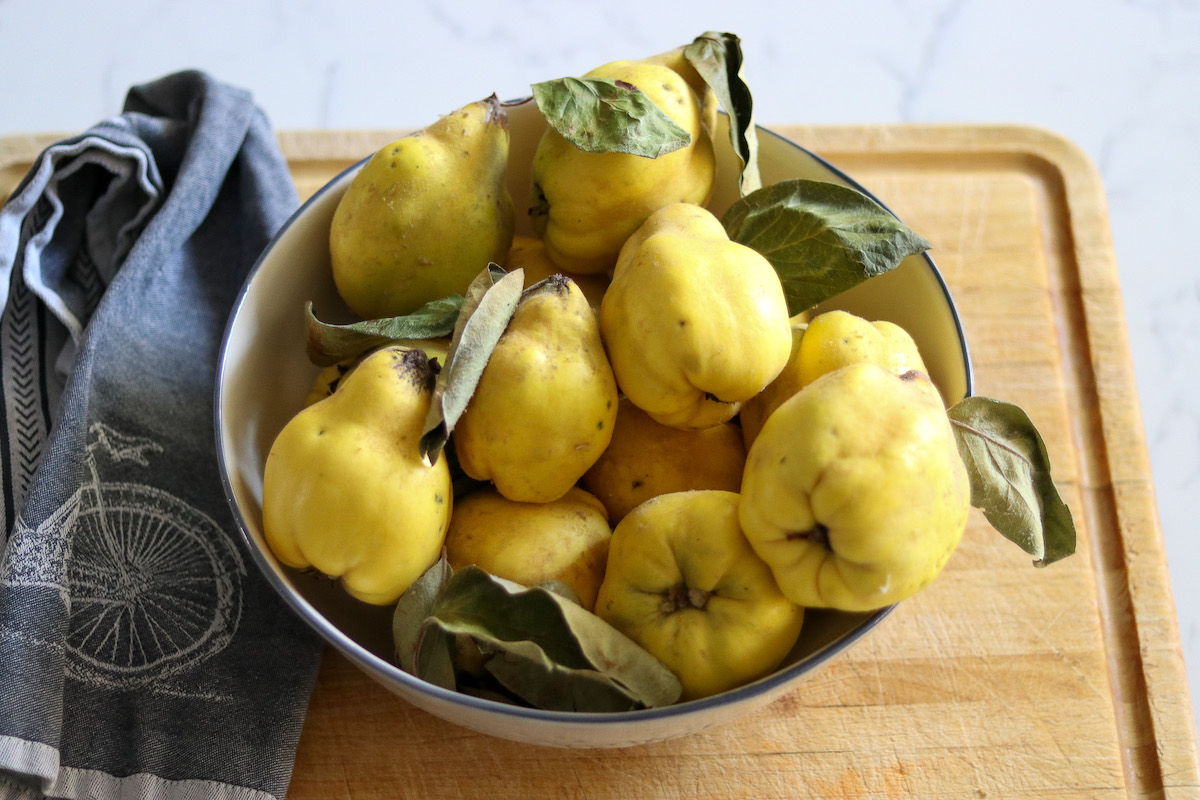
point(1000, 681)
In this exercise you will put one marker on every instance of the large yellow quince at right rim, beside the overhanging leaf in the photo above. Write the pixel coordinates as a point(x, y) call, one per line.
point(855, 492)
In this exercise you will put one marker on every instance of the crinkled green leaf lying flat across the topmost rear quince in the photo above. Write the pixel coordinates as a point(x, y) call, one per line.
point(608, 116)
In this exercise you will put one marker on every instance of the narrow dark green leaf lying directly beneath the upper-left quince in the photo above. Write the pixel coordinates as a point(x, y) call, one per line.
point(329, 344)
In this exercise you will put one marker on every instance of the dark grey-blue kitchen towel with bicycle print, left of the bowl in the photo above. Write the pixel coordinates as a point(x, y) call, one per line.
point(141, 653)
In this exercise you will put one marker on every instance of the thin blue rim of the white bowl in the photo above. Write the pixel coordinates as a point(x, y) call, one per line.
point(369, 661)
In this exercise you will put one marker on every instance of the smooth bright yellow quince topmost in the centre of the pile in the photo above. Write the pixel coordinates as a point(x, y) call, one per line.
point(694, 324)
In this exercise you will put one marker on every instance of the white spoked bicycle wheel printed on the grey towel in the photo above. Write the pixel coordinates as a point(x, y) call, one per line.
point(155, 586)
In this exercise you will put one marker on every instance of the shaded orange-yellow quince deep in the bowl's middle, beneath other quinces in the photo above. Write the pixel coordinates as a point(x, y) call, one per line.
point(647, 459)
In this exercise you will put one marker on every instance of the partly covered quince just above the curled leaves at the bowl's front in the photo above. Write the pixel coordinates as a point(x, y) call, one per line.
point(533, 543)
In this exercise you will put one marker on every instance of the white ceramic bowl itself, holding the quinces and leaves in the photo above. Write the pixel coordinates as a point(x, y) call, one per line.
point(265, 376)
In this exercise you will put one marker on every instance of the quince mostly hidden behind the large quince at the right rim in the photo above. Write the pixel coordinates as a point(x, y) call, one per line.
point(830, 341)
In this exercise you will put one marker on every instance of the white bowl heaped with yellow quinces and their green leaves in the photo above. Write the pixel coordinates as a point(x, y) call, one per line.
point(605, 416)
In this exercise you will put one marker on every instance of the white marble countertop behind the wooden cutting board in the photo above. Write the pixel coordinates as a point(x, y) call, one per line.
point(1120, 79)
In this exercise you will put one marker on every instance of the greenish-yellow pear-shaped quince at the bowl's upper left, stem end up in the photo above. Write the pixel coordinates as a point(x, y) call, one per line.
point(388, 240)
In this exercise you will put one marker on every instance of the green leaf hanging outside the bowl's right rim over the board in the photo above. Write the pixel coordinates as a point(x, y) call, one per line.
point(1011, 479)
